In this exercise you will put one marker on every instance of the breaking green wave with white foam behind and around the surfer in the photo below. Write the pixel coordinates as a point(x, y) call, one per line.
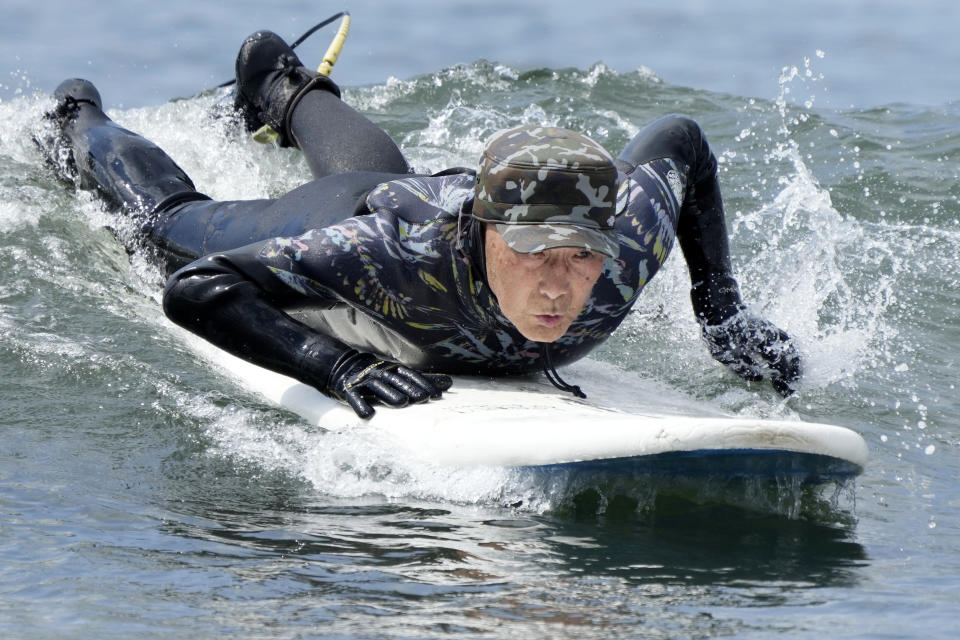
point(840, 224)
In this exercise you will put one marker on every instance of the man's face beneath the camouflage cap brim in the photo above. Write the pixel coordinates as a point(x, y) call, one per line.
point(540, 293)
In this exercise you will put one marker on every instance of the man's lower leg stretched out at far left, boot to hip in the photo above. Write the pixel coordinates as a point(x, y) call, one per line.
point(131, 172)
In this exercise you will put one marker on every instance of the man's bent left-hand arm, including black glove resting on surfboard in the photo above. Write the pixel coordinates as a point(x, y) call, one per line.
point(232, 300)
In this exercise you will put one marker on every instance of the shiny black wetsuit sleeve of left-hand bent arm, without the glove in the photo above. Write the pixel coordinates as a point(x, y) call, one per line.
point(232, 300)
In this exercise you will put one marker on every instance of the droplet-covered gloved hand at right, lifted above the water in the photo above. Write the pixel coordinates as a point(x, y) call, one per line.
point(751, 346)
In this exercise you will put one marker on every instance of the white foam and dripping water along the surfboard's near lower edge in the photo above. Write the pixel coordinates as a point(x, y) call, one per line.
point(350, 465)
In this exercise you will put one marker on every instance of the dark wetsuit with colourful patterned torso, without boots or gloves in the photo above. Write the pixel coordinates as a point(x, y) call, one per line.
point(381, 260)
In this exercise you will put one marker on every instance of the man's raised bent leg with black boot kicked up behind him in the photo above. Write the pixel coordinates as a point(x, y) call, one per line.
point(304, 108)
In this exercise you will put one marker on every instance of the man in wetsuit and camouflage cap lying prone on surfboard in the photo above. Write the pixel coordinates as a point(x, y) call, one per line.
point(371, 282)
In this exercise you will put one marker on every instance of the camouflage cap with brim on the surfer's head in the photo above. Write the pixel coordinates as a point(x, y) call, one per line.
point(546, 187)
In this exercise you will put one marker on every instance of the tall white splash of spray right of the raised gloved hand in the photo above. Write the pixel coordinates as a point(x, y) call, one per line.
point(819, 273)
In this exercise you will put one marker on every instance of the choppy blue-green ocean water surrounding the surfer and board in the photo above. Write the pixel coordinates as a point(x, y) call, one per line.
point(142, 494)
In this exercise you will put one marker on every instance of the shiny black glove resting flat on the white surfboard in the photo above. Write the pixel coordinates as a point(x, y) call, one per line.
point(361, 378)
